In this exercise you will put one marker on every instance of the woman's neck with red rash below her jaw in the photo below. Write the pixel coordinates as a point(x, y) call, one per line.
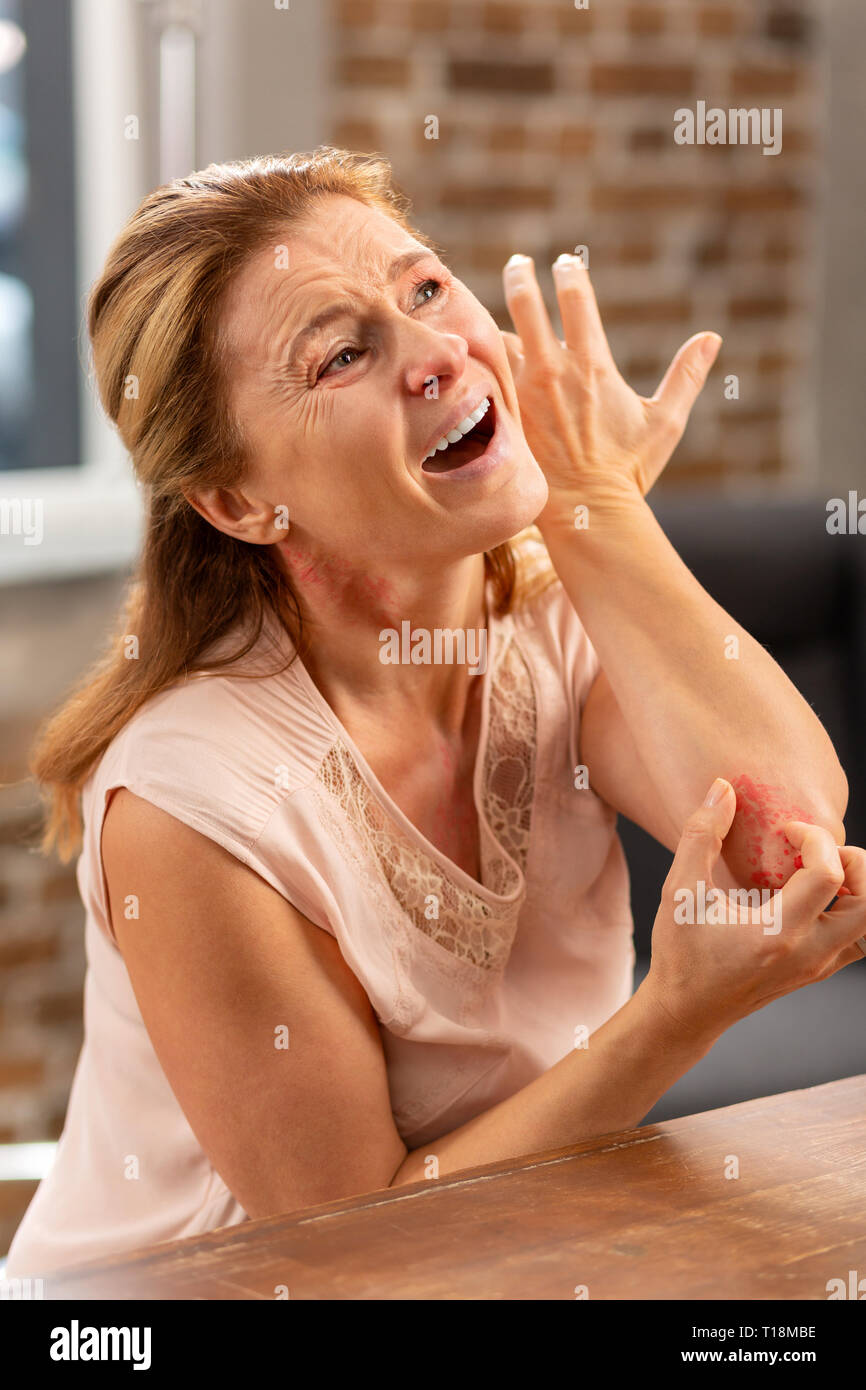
point(347, 610)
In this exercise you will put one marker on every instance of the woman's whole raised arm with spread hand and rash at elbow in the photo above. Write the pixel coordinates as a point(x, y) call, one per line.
point(672, 707)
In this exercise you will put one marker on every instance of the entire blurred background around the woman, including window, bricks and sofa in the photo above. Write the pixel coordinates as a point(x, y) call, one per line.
point(533, 126)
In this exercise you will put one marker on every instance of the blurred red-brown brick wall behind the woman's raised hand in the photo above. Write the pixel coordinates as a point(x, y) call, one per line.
point(557, 130)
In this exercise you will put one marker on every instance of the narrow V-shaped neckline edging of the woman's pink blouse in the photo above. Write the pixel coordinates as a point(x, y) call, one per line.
point(451, 869)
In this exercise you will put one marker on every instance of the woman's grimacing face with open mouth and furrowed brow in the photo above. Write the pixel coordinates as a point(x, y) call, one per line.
point(354, 352)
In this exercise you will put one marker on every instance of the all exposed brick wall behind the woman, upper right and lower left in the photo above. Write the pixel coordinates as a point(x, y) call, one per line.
point(555, 130)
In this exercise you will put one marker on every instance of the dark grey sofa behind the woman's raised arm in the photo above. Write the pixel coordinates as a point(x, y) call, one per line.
point(801, 593)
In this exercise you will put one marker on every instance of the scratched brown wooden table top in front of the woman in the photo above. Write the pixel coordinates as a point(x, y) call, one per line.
point(653, 1213)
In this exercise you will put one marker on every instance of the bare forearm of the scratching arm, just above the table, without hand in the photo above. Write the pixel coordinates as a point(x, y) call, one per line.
point(611, 1085)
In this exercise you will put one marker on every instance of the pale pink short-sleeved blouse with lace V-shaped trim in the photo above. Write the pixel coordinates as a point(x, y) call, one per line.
point(479, 986)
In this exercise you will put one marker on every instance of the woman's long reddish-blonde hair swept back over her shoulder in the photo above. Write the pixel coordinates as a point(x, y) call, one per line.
point(154, 320)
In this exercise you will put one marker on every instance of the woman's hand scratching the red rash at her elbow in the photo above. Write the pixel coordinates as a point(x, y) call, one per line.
point(708, 975)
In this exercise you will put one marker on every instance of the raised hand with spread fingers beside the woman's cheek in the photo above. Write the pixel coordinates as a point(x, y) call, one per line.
point(593, 436)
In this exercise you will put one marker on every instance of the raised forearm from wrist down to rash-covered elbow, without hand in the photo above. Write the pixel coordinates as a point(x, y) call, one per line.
point(701, 697)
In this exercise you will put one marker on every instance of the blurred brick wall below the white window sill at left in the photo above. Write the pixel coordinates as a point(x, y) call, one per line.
point(49, 635)
